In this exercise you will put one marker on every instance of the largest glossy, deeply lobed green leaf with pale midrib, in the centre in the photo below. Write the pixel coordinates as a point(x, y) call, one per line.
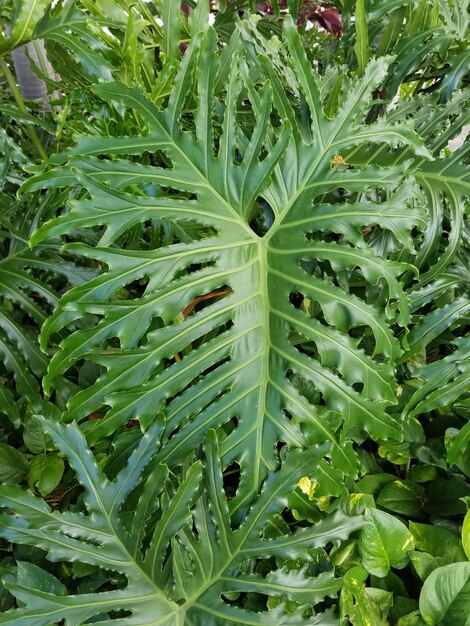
point(280, 291)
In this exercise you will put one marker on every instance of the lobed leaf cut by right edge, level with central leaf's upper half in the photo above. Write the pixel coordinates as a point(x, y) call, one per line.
point(444, 181)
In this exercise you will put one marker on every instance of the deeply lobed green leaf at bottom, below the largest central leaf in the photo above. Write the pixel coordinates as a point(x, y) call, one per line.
point(179, 557)
